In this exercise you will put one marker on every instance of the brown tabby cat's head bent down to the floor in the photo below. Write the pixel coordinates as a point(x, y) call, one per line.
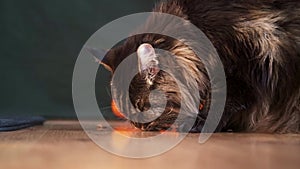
point(153, 97)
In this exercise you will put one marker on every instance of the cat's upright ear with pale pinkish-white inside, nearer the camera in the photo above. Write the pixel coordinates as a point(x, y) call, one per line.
point(147, 59)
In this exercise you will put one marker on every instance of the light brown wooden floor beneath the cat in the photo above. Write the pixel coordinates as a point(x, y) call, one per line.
point(63, 144)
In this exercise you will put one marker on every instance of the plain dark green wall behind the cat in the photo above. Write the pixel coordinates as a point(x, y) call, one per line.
point(40, 41)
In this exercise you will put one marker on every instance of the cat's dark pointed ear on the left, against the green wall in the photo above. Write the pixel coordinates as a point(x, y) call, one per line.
point(99, 55)
